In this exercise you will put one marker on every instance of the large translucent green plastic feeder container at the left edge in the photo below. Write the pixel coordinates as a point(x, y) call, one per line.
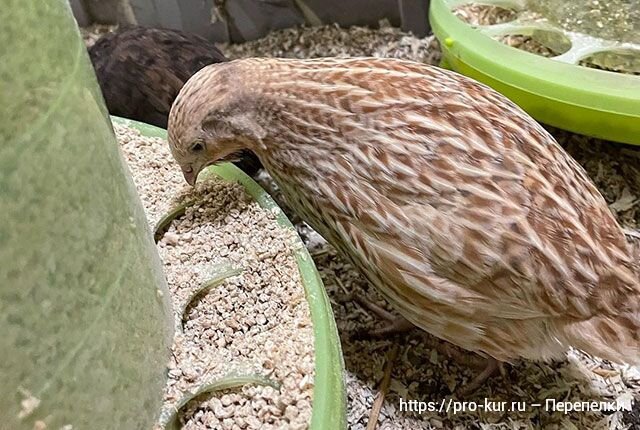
point(85, 322)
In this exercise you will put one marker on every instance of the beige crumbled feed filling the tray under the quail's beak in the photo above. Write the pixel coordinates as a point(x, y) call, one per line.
point(254, 323)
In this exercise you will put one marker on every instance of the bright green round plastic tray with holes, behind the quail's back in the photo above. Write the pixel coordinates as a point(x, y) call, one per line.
point(556, 90)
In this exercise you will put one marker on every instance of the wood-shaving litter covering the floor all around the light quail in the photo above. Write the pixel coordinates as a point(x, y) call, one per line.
point(420, 373)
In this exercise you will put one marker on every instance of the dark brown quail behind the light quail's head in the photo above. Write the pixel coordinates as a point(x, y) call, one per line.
point(141, 70)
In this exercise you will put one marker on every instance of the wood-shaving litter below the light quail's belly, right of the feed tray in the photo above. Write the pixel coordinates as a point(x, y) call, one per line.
point(421, 374)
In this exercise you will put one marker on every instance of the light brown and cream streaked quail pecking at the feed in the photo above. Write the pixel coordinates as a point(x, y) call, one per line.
point(461, 209)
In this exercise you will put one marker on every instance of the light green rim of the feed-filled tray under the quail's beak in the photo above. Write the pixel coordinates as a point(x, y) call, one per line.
point(329, 398)
